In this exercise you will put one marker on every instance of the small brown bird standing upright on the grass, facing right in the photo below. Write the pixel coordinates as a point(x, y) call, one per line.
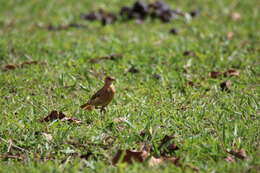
point(102, 97)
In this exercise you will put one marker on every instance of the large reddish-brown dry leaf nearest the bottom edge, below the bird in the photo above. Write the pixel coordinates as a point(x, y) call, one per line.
point(129, 156)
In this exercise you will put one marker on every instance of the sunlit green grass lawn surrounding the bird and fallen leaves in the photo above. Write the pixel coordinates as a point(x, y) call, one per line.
point(210, 122)
